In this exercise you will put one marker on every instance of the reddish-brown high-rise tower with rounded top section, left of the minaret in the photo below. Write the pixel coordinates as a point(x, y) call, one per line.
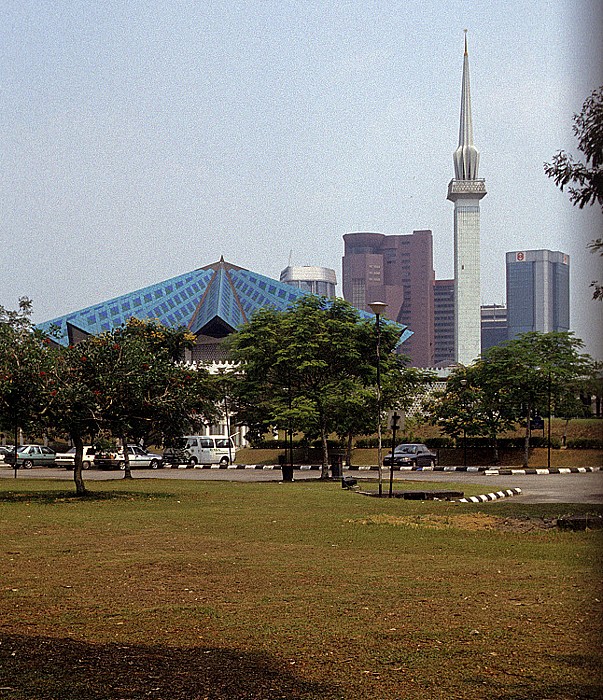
point(399, 271)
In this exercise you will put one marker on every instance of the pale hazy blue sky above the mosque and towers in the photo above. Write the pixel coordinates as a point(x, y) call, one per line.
point(140, 140)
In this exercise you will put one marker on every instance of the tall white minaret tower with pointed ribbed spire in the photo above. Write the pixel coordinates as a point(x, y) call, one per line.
point(465, 191)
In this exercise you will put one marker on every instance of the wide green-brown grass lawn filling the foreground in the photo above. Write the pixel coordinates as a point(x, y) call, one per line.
point(178, 590)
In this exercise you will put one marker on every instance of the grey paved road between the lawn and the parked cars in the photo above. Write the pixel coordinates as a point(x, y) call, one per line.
point(549, 488)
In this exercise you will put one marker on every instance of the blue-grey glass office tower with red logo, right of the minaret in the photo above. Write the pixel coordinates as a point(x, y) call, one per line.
point(537, 291)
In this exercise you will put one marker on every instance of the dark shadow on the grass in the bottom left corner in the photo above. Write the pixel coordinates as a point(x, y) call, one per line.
point(65, 669)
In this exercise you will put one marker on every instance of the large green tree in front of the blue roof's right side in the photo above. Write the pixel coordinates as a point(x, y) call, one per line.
point(297, 368)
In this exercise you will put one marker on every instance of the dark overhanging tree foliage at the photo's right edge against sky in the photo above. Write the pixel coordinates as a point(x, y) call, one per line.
point(585, 179)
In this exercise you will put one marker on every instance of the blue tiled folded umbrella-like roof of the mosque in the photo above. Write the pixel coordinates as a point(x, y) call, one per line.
point(220, 291)
